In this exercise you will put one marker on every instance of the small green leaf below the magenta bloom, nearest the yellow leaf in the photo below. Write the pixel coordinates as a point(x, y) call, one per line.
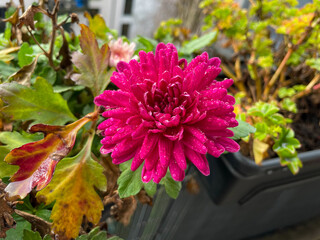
point(129, 182)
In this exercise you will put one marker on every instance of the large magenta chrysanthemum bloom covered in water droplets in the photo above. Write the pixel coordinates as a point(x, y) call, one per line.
point(167, 111)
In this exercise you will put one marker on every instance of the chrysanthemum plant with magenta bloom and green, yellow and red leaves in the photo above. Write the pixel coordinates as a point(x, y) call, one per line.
point(62, 94)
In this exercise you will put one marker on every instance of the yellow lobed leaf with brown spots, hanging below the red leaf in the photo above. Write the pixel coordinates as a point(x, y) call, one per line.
point(73, 190)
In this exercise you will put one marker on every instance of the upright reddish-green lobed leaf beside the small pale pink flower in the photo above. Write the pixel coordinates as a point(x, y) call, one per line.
point(92, 64)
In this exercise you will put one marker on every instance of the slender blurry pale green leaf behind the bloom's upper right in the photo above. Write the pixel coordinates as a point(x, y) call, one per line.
point(199, 43)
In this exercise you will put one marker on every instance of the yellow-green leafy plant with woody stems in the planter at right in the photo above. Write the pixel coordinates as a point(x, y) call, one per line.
point(275, 66)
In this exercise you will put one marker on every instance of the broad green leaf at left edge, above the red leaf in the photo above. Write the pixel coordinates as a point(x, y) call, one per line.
point(40, 103)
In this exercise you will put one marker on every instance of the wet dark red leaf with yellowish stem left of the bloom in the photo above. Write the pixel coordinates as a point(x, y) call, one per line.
point(37, 160)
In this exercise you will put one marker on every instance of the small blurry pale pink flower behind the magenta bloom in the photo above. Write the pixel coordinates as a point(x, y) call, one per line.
point(120, 51)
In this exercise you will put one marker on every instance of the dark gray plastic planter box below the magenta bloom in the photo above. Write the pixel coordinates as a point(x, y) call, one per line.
point(238, 200)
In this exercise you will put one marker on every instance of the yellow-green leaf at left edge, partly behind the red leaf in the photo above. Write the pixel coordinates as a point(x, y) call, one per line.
point(12, 140)
